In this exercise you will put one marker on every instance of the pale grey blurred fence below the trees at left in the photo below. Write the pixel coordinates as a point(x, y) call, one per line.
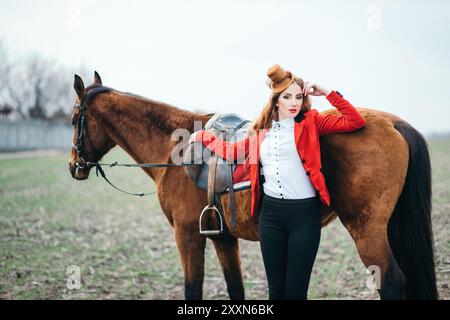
point(33, 135)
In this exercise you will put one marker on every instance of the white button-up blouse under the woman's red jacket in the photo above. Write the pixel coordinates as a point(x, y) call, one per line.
point(285, 176)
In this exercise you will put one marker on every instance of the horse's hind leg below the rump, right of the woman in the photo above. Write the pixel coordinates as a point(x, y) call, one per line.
point(371, 239)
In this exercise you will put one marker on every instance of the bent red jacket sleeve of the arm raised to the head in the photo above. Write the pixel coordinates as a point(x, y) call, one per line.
point(349, 120)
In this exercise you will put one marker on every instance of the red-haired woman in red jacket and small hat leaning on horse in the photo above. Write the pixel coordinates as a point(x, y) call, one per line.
point(283, 158)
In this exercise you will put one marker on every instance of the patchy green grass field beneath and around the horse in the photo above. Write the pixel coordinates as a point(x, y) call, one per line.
point(124, 246)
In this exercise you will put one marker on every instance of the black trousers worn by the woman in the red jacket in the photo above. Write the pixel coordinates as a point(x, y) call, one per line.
point(289, 231)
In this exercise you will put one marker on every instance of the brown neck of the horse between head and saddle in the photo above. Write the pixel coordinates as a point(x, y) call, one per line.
point(143, 127)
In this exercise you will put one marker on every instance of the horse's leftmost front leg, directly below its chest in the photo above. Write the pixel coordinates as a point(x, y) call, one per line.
point(191, 246)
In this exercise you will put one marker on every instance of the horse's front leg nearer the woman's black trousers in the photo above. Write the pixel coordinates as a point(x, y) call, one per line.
point(227, 249)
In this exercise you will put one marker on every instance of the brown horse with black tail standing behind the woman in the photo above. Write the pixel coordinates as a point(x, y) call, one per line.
point(379, 179)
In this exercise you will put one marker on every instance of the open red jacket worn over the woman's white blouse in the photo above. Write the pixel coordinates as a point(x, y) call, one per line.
point(306, 132)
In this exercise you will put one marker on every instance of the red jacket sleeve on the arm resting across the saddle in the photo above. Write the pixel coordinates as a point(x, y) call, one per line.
point(224, 149)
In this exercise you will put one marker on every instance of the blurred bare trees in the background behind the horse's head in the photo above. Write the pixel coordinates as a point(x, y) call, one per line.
point(35, 87)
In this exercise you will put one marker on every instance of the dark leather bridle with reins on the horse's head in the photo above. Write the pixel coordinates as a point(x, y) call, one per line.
point(82, 129)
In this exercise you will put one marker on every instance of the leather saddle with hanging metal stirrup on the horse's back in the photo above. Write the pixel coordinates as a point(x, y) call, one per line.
point(213, 173)
